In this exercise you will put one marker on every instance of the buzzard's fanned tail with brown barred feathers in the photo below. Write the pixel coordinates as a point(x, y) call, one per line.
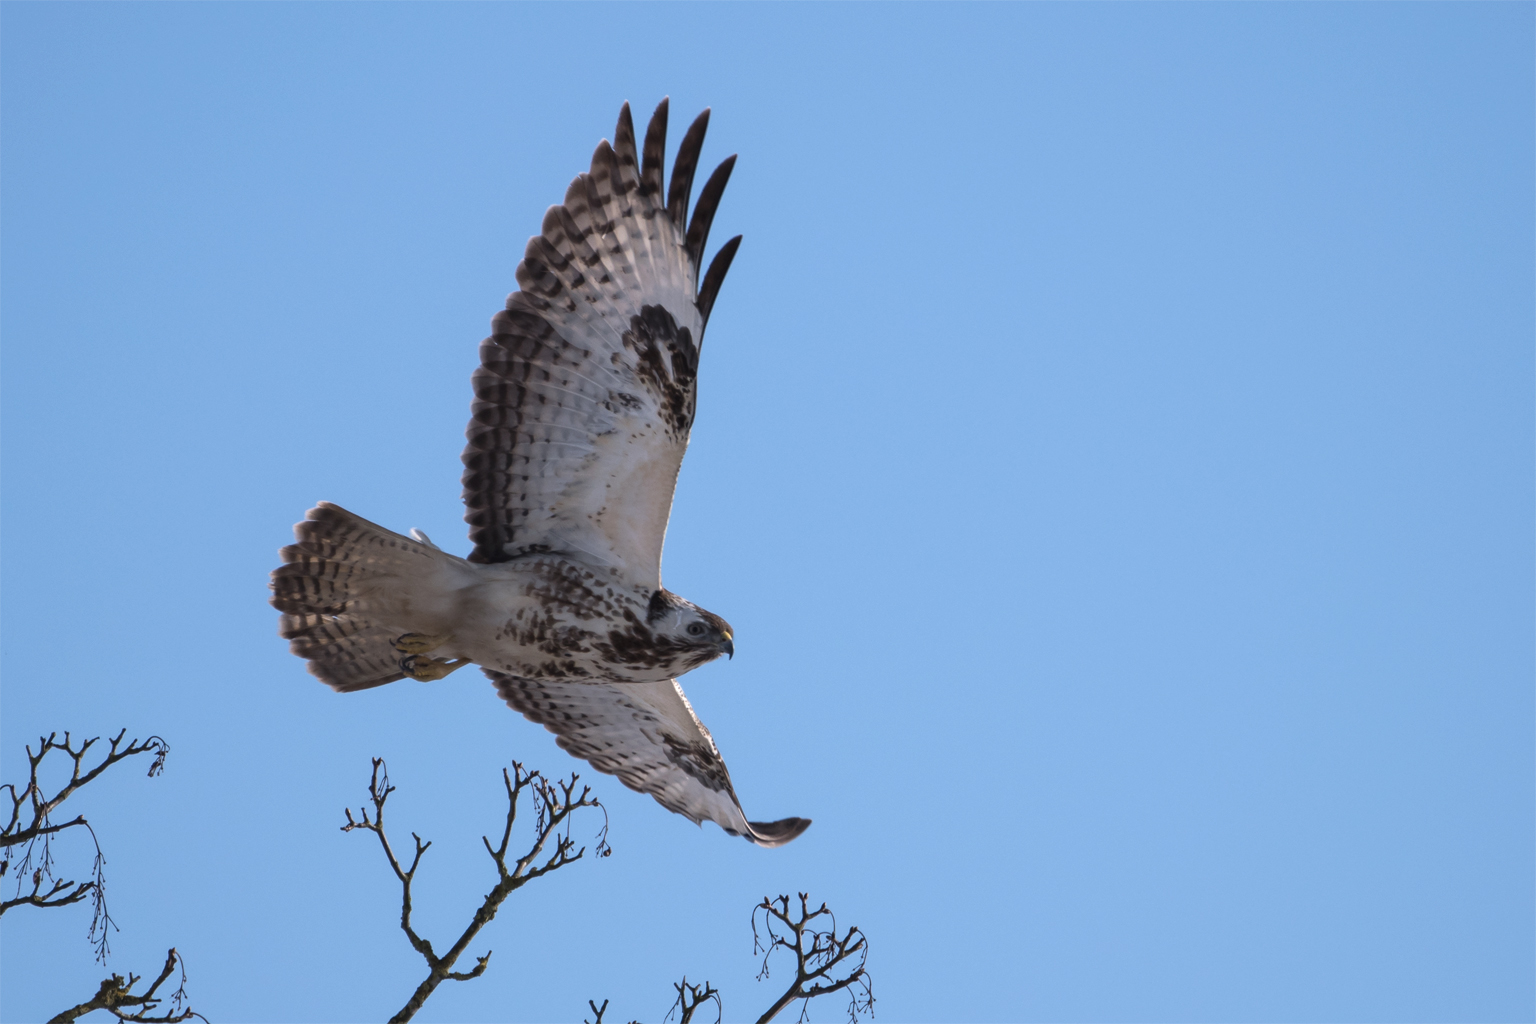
point(336, 589)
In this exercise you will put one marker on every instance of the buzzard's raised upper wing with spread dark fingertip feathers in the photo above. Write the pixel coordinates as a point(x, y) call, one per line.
point(586, 391)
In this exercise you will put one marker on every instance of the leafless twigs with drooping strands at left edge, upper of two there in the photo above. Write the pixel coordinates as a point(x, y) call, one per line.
point(31, 828)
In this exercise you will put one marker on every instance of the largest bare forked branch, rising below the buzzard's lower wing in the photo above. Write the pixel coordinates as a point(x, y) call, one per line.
point(554, 804)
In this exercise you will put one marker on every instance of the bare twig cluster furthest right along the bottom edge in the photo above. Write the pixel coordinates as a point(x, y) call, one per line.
point(818, 953)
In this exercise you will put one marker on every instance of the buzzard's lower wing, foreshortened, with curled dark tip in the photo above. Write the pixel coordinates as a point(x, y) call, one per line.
point(649, 736)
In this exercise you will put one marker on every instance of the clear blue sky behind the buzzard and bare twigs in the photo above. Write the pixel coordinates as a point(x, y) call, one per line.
point(1114, 452)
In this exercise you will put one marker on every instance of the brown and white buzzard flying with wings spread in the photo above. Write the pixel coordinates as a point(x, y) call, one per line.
point(581, 415)
